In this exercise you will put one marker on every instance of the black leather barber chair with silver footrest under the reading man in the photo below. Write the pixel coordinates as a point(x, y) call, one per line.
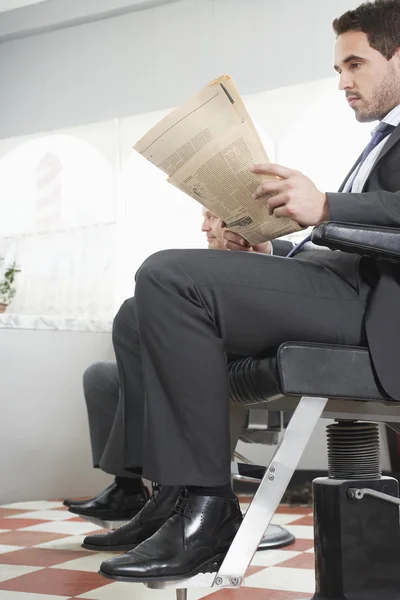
point(356, 510)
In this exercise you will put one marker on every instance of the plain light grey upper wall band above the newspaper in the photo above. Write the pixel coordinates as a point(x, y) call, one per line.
point(150, 59)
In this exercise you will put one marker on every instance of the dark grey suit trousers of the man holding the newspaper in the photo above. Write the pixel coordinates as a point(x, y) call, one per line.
point(196, 308)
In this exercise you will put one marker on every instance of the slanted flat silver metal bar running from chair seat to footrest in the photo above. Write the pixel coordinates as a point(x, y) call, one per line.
point(270, 492)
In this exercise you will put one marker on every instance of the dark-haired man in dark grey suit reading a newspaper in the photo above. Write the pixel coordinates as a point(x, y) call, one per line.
point(196, 308)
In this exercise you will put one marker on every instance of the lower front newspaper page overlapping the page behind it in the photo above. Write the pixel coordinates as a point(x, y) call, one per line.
point(219, 177)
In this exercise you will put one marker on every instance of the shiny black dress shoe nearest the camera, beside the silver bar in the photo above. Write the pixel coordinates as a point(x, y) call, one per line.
point(195, 539)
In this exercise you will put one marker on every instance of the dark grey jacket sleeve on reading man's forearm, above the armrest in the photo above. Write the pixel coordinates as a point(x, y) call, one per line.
point(368, 208)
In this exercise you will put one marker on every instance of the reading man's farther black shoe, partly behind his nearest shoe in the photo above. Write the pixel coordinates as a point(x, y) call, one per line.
point(154, 514)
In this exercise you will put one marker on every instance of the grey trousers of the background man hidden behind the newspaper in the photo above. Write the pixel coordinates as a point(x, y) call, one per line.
point(106, 423)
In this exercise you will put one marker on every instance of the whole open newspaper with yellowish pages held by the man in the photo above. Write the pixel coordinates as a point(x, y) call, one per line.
point(206, 147)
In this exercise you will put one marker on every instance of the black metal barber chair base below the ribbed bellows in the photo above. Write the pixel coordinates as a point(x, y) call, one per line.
point(357, 542)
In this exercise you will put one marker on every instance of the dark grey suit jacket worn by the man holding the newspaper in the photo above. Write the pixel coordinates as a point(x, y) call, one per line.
point(377, 204)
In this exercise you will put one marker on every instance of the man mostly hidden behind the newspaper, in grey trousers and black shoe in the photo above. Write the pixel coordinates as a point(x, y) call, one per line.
point(127, 495)
